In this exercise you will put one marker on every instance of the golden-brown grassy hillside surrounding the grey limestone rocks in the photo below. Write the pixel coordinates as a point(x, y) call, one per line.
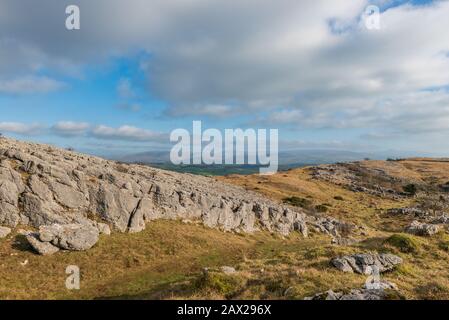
point(166, 261)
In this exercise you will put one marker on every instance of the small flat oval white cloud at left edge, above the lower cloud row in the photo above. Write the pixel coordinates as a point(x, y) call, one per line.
point(29, 85)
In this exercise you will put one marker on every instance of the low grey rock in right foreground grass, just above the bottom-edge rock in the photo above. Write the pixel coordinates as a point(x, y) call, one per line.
point(366, 263)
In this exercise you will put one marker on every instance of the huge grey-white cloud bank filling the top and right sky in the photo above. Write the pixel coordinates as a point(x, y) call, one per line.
point(279, 56)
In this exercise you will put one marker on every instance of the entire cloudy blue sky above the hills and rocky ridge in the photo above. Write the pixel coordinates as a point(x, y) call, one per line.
point(312, 69)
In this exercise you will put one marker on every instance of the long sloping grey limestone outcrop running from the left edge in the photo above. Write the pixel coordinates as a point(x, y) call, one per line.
point(42, 186)
